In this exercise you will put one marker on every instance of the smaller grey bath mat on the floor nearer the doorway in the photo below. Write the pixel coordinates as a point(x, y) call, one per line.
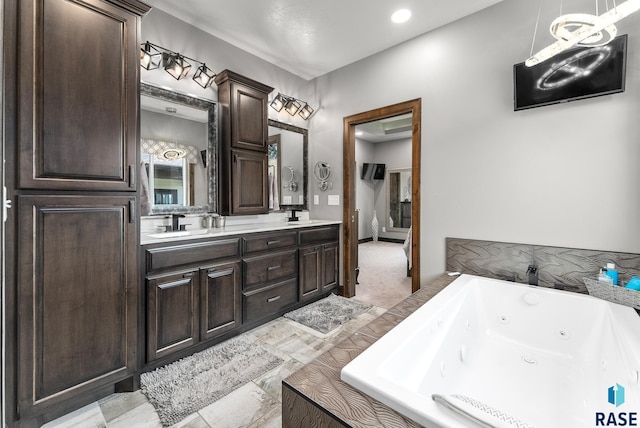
point(328, 313)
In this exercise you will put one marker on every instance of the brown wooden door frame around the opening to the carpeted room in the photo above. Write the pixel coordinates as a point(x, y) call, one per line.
point(350, 238)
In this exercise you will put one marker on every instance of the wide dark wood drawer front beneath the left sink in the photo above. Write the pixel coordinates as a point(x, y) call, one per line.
point(178, 255)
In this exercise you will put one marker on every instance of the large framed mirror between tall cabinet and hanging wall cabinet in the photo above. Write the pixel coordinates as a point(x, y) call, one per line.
point(179, 140)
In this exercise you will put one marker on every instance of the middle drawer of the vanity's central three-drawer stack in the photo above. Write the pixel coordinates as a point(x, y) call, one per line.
point(258, 271)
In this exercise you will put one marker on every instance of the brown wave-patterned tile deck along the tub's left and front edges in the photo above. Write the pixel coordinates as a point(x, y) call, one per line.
point(315, 396)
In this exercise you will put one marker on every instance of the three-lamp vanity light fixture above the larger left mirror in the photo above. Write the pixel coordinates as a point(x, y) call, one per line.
point(176, 64)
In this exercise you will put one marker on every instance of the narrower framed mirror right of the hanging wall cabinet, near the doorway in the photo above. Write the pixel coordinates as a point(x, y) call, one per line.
point(288, 169)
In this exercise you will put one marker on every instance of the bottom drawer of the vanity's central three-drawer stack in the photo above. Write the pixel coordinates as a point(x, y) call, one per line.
point(269, 300)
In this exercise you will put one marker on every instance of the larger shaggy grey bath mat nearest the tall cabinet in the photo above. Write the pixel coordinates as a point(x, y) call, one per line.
point(188, 385)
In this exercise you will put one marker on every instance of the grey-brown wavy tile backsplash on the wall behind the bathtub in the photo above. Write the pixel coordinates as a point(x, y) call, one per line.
point(555, 264)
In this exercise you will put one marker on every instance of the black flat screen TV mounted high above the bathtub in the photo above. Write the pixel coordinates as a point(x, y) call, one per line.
point(574, 74)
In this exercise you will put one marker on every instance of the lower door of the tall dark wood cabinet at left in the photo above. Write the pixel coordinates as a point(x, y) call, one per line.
point(77, 296)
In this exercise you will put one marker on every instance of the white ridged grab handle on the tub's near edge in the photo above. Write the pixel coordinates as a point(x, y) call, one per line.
point(478, 412)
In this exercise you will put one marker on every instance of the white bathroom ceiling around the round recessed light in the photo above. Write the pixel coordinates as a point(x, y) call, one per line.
point(313, 37)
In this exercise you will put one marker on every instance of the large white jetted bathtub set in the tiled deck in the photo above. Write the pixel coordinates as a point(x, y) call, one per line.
point(498, 350)
